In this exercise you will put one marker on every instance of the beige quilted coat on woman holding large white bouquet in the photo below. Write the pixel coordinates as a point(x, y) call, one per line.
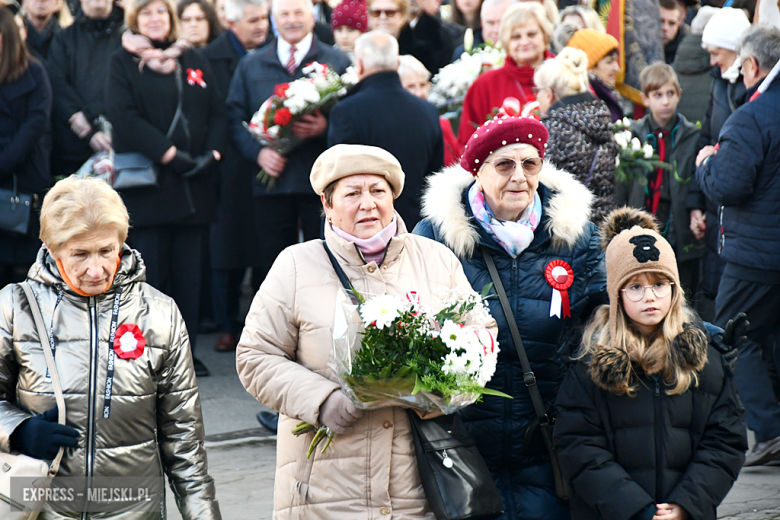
point(282, 360)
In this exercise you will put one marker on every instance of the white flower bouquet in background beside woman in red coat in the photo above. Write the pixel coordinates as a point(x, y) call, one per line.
point(453, 81)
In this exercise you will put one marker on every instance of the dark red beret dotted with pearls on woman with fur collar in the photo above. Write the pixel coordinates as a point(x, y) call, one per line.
point(498, 132)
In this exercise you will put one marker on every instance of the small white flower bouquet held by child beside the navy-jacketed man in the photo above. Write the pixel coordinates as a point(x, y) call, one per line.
point(634, 161)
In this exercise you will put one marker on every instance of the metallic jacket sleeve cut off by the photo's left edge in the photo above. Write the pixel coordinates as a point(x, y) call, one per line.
point(10, 415)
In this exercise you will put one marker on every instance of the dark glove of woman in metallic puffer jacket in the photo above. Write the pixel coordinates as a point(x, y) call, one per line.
point(41, 436)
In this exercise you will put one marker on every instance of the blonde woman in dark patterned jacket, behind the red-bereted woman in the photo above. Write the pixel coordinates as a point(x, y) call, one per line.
point(580, 126)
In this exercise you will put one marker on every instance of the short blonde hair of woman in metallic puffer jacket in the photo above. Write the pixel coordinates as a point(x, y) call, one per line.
point(76, 207)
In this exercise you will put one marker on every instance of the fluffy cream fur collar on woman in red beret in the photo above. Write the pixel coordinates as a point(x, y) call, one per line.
point(568, 208)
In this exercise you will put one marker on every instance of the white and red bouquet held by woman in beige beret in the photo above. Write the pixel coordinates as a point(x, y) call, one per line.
point(392, 351)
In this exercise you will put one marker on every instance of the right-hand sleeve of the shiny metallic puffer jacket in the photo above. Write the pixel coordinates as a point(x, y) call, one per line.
point(180, 426)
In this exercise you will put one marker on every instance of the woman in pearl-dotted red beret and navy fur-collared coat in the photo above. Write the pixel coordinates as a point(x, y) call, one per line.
point(534, 221)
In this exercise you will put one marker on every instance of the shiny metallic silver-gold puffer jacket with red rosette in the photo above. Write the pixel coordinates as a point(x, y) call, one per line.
point(155, 422)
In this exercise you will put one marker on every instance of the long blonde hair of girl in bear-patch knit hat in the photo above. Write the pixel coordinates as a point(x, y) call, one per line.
point(653, 354)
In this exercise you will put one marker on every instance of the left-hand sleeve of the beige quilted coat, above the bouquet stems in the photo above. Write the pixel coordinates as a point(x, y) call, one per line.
point(266, 357)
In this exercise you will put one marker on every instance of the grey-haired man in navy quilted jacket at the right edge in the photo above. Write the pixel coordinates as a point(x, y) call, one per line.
point(743, 176)
